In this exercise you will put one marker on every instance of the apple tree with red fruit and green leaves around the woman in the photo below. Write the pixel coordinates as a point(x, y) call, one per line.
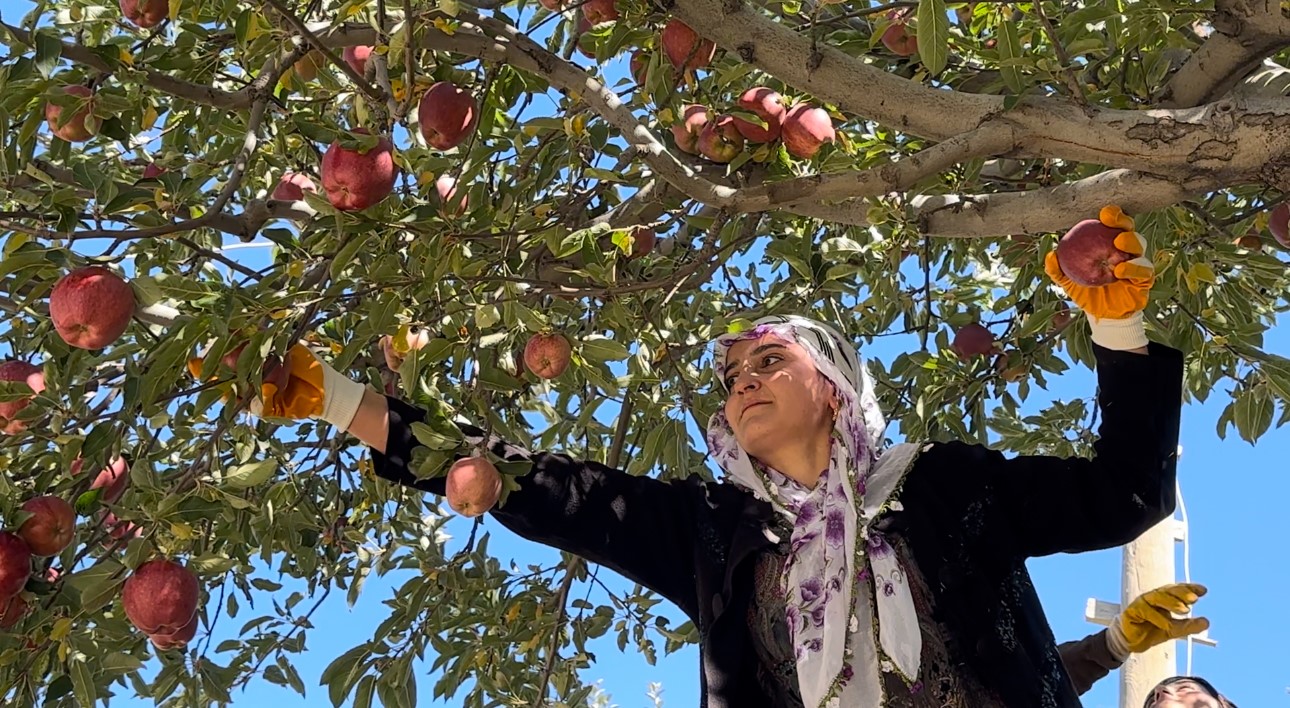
point(429, 185)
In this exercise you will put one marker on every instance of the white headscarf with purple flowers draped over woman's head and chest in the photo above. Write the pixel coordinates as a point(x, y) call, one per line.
point(849, 609)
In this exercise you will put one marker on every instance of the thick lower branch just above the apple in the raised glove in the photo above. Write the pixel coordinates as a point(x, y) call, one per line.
point(1052, 210)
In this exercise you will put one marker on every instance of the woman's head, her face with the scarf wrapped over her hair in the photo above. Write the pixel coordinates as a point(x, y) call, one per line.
point(788, 381)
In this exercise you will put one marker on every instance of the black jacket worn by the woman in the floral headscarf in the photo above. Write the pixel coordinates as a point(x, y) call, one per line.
point(971, 518)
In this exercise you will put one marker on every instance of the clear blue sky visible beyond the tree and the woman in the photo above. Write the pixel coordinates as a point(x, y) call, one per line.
point(1236, 504)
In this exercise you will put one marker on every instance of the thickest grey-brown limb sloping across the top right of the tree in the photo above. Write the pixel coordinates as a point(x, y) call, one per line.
point(1215, 137)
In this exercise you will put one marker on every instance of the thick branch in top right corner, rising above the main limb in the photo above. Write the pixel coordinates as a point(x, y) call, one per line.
point(1245, 33)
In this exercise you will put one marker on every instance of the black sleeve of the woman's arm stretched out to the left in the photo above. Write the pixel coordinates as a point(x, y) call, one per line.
point(638, 527)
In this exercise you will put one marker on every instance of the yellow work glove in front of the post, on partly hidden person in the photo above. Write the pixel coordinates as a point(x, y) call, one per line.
point(1150, 621)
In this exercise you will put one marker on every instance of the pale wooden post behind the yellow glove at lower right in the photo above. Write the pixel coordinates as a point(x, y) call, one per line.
point(1149, 563)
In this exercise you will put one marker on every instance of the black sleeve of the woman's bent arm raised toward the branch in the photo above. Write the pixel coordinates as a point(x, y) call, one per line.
point(1074, 505)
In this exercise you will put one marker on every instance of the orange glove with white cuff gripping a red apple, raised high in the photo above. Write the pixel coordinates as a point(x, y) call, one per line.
point(1114, 310)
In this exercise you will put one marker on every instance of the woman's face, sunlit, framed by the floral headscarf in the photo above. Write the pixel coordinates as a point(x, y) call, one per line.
point(777, 397)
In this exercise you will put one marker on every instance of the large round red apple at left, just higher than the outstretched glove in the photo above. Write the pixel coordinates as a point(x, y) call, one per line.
point(91, 308)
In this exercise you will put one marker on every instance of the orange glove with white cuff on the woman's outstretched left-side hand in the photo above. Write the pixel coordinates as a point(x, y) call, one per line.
point(308, 389)
